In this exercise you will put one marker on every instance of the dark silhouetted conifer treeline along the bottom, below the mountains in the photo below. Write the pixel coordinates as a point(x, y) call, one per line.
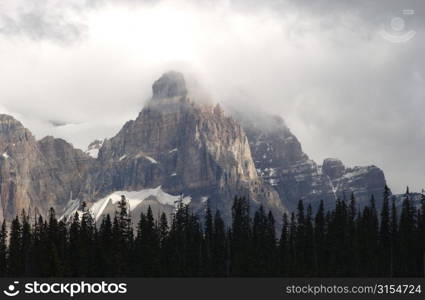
point(345, 242)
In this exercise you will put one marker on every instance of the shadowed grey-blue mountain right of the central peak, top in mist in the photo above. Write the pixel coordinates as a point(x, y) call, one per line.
point(281, 162)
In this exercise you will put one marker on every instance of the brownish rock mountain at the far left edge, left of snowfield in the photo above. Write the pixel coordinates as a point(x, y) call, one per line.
point(36, 175)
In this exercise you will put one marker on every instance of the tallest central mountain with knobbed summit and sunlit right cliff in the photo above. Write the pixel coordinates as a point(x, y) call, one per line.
point(184, 147)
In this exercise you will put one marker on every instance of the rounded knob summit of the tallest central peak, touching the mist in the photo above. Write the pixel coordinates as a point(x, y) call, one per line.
point(169, 85)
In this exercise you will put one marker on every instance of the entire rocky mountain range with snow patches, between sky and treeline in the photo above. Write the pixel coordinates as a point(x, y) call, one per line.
point(180, 148)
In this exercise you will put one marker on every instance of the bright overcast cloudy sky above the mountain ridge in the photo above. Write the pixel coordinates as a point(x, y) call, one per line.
point(347, 76)
